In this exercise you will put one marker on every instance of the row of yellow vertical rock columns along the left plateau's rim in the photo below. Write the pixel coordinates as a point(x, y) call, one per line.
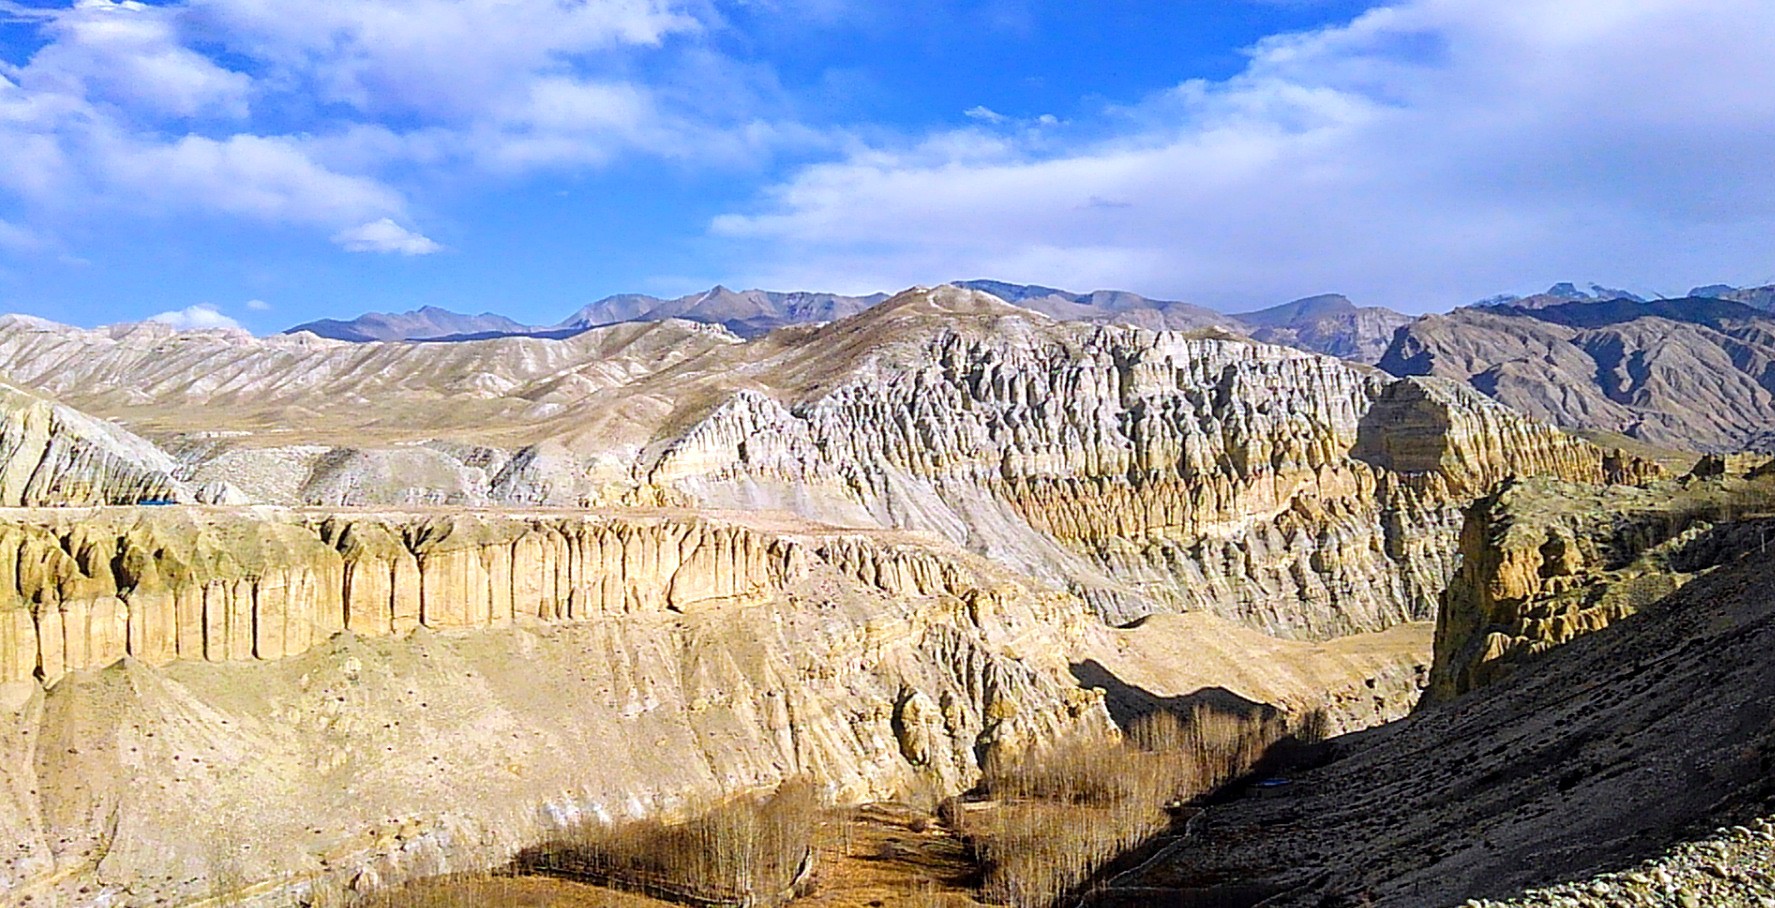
point(84, 590)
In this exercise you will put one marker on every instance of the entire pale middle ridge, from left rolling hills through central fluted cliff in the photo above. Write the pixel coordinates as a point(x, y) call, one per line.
point(1144, 471)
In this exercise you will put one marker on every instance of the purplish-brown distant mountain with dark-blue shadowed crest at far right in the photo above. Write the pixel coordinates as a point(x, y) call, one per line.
point(1678, 373)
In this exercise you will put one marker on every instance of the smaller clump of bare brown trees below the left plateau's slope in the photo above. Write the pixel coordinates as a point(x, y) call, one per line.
point(750, 852)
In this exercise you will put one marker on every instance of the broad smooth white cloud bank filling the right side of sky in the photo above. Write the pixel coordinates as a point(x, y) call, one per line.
point(1421, 155)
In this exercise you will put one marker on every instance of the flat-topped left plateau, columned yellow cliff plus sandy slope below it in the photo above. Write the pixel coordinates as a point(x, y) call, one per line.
point(501, 677)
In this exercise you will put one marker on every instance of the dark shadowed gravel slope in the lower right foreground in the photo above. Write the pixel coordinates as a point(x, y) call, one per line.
point(1609, 751)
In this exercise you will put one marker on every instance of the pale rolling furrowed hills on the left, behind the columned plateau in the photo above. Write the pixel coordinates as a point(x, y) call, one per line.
point(299, 389)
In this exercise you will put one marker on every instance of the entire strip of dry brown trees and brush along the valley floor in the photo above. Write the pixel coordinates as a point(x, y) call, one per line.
point(1050, 822)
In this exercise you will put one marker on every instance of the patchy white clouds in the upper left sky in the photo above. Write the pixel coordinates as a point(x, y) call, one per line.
point(327, 116)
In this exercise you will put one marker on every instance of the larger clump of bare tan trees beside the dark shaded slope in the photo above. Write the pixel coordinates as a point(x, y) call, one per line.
point(1064, 813)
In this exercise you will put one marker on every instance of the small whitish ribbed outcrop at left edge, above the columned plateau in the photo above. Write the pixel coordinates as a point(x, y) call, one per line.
point(52, 457)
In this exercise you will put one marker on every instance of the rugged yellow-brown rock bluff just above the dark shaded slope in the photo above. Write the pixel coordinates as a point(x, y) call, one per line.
point(1547, 561)
